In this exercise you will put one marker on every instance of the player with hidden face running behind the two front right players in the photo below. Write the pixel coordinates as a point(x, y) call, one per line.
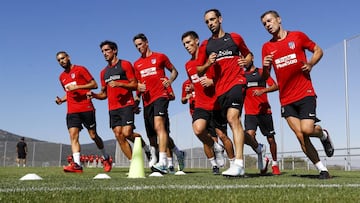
point(258, 114)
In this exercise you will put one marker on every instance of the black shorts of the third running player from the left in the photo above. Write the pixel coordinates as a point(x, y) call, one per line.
point(158, 108)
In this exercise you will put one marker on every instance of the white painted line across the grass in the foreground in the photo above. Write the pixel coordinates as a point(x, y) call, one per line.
point(177, 187)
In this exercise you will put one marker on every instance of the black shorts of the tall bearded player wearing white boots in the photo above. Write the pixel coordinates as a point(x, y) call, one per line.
point(233, 98)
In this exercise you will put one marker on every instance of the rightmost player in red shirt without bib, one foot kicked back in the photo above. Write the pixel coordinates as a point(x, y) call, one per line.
point(286, 53)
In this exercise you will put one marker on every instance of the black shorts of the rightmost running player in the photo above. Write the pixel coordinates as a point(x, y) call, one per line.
point(302, 109)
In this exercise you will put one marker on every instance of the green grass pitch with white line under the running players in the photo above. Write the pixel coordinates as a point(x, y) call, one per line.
point(198, 185)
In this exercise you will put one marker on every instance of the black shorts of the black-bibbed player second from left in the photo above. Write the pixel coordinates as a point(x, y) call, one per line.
point(121, 117)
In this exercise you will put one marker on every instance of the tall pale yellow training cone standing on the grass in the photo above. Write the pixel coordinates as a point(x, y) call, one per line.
point(137, 161)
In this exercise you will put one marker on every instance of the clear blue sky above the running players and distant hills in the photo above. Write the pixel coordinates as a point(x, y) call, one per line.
point(33, 31)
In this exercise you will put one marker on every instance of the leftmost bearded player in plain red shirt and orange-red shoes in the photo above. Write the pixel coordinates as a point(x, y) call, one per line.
point(77, 82)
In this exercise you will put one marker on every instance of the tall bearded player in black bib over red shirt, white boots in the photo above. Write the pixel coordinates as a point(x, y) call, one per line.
point(227, 53)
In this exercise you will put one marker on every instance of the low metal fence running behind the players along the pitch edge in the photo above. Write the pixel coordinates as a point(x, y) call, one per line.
point(41, 154)
